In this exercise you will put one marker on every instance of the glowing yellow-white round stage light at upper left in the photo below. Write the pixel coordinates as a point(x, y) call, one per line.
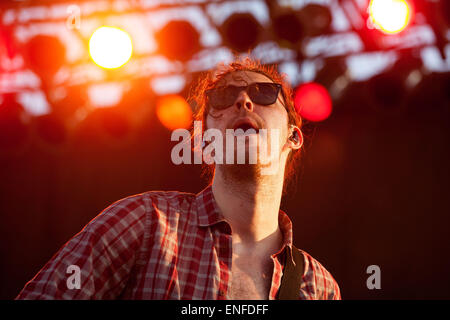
point(110, 47)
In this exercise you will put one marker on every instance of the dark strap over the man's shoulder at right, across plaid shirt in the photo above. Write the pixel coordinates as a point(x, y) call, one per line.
point(292, 275)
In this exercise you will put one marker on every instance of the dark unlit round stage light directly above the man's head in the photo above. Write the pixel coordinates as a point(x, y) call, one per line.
point(241, 32)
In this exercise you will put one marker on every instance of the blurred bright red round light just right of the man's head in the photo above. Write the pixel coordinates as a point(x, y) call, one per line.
point(312, 101)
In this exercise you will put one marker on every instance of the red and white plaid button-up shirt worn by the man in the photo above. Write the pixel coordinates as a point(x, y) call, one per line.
point(162, 245)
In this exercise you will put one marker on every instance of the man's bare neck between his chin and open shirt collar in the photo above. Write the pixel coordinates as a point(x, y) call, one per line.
point(251, 207)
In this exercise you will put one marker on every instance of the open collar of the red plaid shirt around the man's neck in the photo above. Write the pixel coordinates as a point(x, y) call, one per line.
point(208, 214)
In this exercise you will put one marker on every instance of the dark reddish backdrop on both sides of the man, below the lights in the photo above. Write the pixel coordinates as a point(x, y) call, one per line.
point(373, 190)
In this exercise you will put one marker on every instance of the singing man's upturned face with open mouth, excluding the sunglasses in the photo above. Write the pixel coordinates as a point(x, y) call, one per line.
point(243, 111)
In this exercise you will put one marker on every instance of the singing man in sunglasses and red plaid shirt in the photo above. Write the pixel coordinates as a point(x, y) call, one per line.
point(230, 241)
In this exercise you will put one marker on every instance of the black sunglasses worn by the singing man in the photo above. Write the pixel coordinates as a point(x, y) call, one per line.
point(262, 93)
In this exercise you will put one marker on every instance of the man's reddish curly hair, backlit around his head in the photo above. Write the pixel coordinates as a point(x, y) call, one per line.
point(198, 99)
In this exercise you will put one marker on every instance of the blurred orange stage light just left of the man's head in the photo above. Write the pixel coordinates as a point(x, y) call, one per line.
point(174, 112)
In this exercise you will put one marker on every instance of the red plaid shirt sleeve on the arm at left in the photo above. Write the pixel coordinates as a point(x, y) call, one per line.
point(96, 263)
